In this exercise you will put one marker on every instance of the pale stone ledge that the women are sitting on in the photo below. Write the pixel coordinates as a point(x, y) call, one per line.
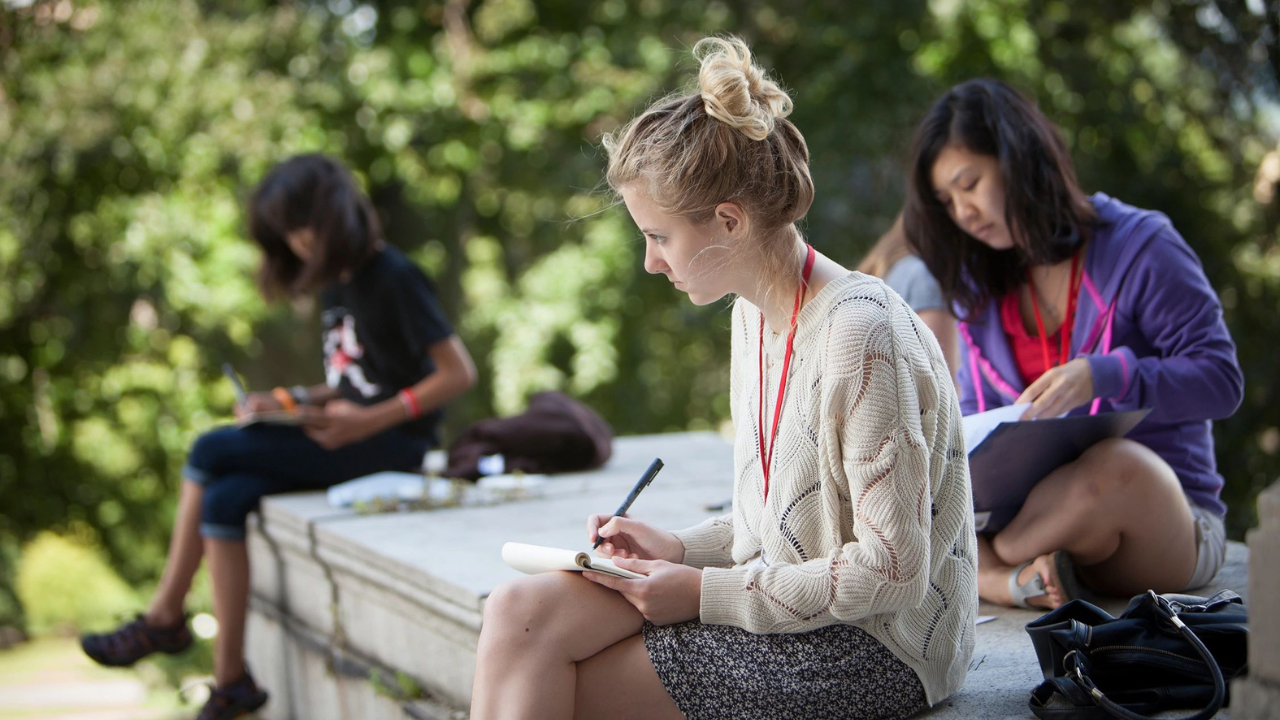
point(404, 593)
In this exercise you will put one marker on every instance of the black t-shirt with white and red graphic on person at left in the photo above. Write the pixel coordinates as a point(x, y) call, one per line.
point(378, 327)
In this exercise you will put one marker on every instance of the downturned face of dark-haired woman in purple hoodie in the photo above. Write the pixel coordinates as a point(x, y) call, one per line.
point(970, 186)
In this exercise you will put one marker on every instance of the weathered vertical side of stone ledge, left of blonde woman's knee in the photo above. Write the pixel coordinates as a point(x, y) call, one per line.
point(324, 625)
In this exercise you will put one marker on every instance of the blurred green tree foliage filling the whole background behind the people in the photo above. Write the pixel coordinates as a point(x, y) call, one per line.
point(131, 133)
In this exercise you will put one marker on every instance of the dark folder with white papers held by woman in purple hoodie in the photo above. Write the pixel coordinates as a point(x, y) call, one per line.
point(1009, 457)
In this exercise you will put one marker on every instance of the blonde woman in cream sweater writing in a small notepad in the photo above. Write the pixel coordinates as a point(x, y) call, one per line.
point(844, 582)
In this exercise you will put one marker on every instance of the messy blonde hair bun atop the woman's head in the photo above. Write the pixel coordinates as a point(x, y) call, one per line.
point(735, 92)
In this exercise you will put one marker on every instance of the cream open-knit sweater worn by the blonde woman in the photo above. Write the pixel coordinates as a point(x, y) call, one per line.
point(870, 518)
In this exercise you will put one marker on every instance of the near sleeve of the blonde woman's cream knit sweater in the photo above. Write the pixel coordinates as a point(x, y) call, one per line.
point(879, 459)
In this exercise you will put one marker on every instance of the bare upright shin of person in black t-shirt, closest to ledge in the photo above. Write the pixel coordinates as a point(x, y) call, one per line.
point(228, 569)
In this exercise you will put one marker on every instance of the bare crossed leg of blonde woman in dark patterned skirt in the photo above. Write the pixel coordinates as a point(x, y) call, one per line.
point(536, 632)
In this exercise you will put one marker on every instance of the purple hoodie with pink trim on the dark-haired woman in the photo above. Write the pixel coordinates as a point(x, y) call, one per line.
point(1153, 331)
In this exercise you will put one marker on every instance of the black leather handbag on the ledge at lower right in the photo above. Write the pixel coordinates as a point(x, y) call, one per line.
point(1163, 653)
